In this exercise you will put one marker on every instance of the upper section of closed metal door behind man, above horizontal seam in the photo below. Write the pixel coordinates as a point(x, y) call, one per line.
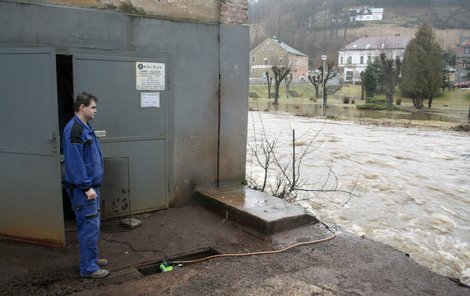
point(113, 81)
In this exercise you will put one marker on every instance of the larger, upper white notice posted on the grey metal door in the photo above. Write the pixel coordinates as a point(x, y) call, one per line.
point(150, 76)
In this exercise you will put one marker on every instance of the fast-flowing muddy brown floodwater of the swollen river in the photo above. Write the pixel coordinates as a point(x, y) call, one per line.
point(411, 186)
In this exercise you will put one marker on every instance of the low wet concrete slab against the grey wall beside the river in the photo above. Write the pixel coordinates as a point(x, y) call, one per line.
point(256, 210)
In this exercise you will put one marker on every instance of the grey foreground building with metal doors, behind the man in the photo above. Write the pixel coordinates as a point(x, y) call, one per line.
point(172, 82)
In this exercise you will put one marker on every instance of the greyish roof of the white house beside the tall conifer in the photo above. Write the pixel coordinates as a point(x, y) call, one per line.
point(379, 42)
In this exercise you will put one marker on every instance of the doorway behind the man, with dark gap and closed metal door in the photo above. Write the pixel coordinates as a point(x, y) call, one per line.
point(133, 146)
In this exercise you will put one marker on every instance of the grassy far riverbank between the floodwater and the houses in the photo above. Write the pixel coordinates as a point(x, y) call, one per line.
point(449, 106)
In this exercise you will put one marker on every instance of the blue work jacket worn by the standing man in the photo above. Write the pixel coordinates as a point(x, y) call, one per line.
point(82, 156)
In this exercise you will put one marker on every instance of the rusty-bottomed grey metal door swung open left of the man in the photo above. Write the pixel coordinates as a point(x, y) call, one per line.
point(30, 177)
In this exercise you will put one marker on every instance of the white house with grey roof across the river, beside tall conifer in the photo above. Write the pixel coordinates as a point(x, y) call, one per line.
point(354, 57)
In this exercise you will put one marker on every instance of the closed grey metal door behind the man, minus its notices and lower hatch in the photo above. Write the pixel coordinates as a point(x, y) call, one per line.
point(136, 133)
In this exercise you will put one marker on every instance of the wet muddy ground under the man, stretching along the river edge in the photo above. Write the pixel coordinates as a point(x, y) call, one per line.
point(344, 265)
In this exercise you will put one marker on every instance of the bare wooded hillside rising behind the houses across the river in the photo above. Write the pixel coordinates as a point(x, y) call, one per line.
point(317, 27)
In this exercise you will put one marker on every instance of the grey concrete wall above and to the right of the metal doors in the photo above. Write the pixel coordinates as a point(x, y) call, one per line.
point(194, 51)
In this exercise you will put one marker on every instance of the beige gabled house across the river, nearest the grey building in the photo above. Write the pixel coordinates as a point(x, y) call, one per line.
point(272, 52)
